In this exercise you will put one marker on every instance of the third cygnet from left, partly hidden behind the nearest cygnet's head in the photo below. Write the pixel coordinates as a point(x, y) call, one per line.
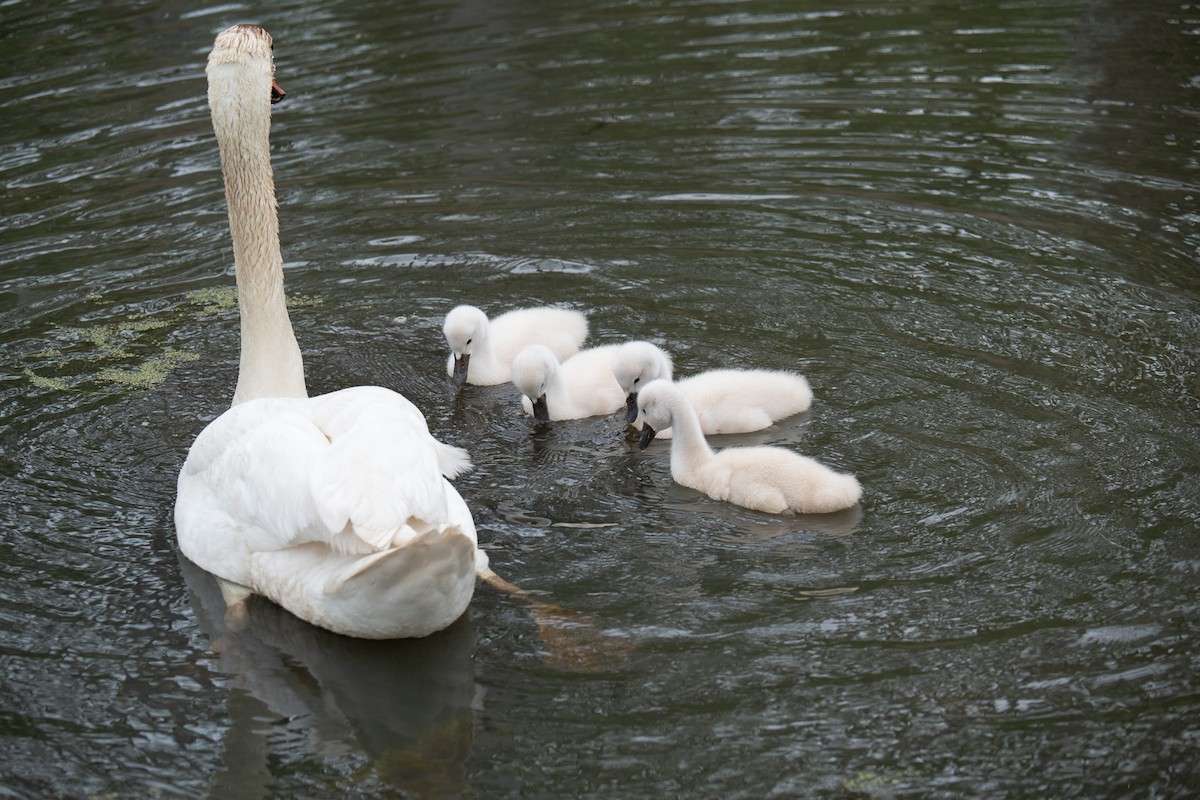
point(725, 401)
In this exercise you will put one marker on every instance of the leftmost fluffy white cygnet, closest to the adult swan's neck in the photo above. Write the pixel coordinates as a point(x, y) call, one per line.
point(482, 351)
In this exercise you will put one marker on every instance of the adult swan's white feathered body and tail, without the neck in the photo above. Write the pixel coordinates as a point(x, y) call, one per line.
point(332, 508)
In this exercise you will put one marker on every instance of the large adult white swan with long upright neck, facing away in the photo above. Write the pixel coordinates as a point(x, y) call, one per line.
point(338, 507)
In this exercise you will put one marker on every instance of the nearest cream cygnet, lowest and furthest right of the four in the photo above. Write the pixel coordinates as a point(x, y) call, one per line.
point(765, 479)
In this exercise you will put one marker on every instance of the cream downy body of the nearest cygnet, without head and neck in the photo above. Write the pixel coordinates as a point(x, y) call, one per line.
point(776, 480)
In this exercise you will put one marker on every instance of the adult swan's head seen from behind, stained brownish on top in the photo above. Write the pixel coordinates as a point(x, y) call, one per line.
point(242, 75)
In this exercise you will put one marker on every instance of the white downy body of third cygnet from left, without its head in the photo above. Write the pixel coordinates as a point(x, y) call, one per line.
point(740, 401)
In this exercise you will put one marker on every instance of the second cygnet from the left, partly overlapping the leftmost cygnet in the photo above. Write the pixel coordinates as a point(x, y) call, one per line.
point(578, 388)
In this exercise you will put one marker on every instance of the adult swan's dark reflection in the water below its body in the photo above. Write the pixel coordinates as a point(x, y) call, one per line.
point(406, 706)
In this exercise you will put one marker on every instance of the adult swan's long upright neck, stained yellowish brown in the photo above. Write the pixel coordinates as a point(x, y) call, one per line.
point(272, 365)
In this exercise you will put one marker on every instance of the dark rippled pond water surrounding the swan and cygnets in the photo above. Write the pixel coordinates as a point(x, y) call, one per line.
point(974, 227)
